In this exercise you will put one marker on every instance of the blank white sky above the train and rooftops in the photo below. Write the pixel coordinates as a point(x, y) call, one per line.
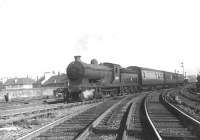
point(43, 35)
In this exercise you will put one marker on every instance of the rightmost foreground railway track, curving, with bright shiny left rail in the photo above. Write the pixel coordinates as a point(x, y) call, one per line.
point(167, 121)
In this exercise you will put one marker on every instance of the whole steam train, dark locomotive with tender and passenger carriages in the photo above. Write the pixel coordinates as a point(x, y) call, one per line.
point(112, 79)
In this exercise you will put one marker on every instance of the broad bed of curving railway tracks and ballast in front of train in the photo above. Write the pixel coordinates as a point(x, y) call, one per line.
point(157, 114)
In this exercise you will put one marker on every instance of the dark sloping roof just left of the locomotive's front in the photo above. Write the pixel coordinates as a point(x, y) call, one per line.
point(56, 79)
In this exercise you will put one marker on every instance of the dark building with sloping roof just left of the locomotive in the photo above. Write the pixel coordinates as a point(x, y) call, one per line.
point(59, 80)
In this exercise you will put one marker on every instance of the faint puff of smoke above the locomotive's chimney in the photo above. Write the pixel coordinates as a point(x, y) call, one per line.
point(93, 45)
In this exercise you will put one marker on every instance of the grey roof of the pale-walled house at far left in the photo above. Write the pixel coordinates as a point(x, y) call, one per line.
point(19, 81)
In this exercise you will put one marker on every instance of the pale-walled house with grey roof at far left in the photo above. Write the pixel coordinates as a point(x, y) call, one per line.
point(19, 83)
